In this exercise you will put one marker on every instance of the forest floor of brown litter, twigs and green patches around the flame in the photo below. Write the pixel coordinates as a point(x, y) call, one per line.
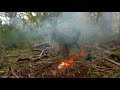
point(47, 66)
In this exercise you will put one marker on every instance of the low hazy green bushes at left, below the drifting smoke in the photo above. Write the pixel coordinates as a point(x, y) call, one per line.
point(13, 38)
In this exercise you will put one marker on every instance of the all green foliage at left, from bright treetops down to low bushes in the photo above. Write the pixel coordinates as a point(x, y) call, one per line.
point(17, 36)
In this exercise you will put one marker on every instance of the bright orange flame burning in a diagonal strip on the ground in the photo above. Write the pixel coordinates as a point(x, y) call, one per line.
point(66, 63)
